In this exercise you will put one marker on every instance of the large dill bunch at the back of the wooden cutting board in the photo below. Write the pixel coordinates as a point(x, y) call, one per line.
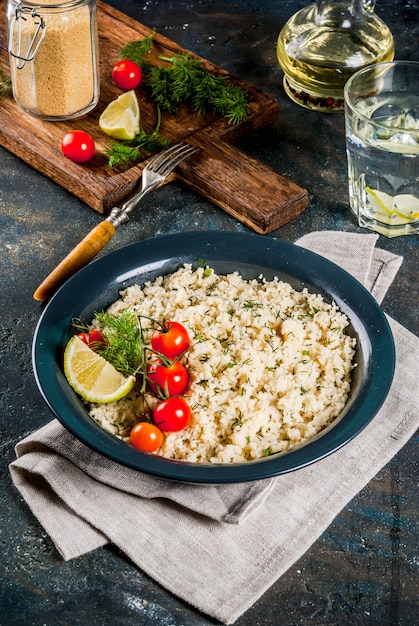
point(185, 79)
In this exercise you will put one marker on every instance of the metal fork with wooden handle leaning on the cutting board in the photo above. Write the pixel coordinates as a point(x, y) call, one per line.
point(153, 175)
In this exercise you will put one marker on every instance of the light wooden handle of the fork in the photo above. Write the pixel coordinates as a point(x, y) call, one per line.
point(80, 256)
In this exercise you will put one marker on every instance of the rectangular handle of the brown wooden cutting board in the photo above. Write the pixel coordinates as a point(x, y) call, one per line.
point(241, 185)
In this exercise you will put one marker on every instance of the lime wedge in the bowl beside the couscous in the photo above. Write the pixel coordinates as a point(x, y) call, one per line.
point(91, 376)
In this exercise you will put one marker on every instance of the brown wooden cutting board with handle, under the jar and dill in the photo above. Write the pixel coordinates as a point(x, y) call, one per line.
point(244, 187)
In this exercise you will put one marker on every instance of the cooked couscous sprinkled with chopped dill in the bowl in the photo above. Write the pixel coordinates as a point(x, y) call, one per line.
point(270, 366)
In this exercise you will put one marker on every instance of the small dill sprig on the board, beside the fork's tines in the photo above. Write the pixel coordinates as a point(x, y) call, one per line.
point(129, 152)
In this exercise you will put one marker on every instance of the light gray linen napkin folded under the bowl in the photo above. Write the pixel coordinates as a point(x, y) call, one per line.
point(231, 542)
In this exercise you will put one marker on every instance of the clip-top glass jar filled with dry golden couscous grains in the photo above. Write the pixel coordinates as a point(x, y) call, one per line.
point(53, 52)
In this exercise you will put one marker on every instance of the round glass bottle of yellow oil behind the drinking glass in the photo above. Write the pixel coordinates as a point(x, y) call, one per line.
point(322, 45)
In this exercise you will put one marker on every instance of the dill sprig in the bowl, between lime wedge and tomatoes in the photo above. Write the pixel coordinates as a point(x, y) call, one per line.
point(125, 346)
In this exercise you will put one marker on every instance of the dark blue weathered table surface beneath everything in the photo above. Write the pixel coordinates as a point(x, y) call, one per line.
point(364, 568)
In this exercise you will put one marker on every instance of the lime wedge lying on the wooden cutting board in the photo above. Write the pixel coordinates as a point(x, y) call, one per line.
point(121, 118)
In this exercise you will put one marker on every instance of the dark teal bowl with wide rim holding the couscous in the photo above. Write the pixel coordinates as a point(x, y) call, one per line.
point(98, 285)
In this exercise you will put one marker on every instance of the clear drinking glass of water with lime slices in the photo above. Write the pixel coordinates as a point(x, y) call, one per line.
point(382, 144)
